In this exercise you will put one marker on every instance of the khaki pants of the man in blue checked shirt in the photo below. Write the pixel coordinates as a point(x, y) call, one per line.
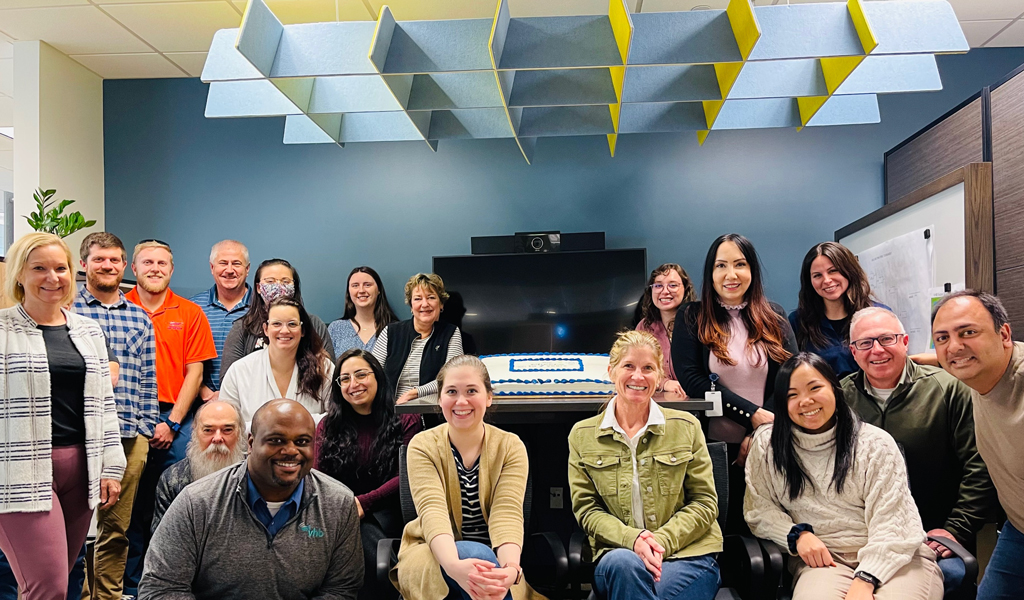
point(112, 526)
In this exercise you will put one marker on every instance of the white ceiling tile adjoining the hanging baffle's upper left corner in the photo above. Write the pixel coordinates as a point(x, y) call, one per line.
point(177, 27)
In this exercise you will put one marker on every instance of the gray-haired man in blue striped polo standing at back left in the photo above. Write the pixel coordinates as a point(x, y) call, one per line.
point(225, 304)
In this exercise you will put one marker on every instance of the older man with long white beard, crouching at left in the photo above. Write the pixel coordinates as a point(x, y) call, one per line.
point(215, 445)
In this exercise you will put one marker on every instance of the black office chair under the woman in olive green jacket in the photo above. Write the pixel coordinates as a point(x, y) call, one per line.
point(742, 562)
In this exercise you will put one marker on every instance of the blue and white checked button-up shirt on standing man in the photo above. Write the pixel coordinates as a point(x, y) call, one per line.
point(130, 333)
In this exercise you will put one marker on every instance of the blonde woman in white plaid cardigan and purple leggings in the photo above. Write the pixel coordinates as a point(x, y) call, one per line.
point(61, 455)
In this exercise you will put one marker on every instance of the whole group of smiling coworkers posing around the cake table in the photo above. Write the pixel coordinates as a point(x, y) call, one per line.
point(238, 447)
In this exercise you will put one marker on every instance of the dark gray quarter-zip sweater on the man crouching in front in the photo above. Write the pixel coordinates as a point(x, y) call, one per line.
point(210, 546)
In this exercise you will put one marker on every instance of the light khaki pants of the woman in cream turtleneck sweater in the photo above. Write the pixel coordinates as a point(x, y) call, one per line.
point(919, 580)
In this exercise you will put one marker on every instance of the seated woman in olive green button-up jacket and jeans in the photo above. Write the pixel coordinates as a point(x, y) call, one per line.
point(660, 544)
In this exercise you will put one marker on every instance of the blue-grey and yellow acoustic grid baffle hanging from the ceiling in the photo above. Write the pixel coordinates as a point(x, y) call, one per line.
point(743, 68)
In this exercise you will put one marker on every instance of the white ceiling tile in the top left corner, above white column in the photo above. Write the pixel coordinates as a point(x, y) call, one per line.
point(73, 30)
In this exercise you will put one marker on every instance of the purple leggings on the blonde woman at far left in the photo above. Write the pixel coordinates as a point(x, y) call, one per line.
point(42, 546)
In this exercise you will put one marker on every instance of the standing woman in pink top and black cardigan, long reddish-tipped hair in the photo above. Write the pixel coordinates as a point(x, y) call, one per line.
point(735, 334)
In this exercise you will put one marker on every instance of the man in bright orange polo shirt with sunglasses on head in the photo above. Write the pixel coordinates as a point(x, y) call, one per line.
point(184, 342)
